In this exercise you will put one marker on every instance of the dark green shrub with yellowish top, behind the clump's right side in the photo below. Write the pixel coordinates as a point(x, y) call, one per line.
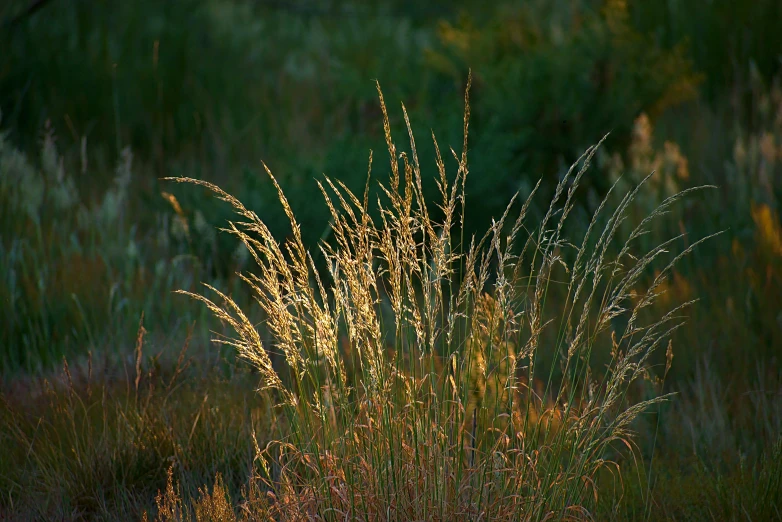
point(551, 76)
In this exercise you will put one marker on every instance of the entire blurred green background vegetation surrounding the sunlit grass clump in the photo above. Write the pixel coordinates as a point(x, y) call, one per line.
point(101, 99)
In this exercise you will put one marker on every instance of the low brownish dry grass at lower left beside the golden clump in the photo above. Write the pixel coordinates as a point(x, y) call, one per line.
point(94, 442)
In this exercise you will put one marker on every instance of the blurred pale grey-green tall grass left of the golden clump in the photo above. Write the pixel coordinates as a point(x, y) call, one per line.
point(79, 263)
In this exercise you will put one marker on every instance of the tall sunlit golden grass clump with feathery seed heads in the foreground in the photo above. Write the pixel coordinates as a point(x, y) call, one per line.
point(406, 373)
